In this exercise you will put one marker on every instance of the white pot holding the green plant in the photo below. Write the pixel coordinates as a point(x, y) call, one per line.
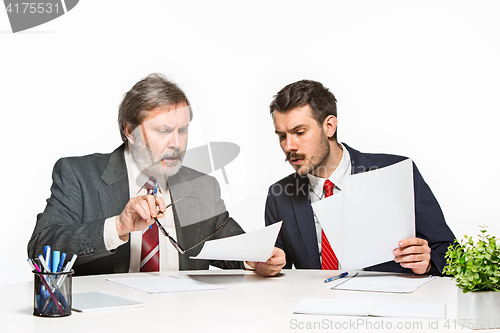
point(479, 309)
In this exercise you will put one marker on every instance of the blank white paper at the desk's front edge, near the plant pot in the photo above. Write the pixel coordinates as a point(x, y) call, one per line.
point(370, 307)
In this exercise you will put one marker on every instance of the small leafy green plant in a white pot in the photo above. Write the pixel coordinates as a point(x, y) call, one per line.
point(476, 270)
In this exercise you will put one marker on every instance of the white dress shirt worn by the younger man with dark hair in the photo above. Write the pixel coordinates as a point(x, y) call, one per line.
point(316, 187)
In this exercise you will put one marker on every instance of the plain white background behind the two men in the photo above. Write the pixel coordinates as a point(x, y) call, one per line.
point(415, 78)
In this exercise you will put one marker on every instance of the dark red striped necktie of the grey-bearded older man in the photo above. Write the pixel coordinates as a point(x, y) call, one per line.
point(150, 251)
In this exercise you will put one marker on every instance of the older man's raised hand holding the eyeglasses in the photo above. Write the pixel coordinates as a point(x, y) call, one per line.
point(138, 214)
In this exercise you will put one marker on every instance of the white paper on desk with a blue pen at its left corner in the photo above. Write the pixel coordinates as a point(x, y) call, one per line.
point(382, 282)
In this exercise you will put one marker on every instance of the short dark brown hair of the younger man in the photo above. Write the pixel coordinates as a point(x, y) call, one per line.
point(306, 92)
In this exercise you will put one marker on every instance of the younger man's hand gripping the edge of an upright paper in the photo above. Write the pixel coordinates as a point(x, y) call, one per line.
point(414, 253)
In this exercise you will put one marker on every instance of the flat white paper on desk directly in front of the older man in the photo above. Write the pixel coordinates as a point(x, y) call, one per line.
point(164, 284)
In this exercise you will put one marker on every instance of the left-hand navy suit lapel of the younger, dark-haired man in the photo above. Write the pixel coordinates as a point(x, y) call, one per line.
point(304, 218)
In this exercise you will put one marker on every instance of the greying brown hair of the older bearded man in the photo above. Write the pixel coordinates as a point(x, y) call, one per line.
point(155, 90)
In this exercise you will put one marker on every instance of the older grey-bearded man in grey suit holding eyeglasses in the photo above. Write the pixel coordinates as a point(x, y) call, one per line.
point(104, 207)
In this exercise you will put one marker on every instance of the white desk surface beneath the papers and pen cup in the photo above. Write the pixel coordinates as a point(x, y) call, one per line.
point(250, 303)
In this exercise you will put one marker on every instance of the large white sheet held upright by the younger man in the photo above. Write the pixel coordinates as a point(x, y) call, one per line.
point(374, 211)
